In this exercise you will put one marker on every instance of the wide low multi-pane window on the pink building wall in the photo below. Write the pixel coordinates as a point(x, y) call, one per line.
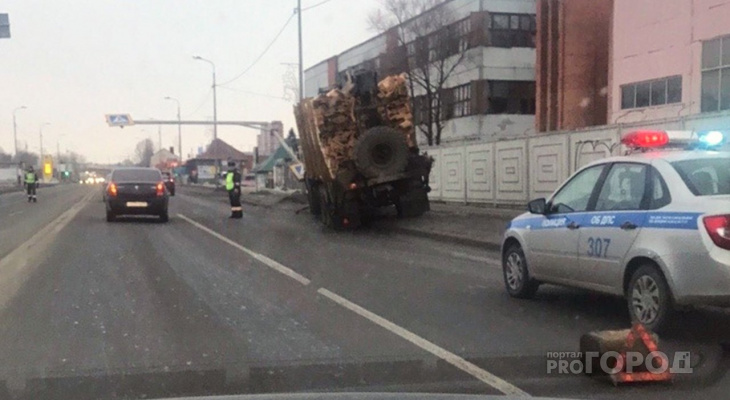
point(652, 93)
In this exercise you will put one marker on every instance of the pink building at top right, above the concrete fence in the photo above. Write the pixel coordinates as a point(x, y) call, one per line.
point(670, 58)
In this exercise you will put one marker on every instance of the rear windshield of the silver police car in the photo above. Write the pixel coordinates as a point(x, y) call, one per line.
point(705, 177)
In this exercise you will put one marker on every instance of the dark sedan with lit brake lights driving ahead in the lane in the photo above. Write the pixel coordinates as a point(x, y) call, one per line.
point(137, 191)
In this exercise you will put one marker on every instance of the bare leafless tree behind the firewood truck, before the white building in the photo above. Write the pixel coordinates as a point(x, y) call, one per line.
point(430, 39)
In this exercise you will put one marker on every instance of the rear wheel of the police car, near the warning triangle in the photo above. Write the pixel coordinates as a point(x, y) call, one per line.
point(650, 302)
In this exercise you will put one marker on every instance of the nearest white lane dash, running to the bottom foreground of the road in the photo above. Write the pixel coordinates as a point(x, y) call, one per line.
point(471, 369)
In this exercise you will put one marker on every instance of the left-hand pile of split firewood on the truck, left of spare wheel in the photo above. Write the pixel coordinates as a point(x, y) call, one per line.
point(335, 120)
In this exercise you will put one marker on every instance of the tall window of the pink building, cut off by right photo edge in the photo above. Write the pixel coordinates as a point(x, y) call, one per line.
point(716, 74)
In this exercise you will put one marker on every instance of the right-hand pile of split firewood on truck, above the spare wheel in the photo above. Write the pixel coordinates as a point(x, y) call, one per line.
point(394, 105)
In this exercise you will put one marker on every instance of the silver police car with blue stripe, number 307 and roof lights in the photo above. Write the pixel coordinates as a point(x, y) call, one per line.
point(653, 226)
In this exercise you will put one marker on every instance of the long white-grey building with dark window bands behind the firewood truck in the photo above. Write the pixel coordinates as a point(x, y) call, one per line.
point(490, 94)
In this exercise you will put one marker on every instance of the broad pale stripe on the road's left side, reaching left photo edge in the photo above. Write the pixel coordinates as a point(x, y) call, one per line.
point(17, 266)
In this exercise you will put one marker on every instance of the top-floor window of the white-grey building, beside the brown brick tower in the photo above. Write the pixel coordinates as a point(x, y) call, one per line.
point(511, 30)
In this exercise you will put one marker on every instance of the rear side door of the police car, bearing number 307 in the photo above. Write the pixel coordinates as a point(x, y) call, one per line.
point(610, 230)
